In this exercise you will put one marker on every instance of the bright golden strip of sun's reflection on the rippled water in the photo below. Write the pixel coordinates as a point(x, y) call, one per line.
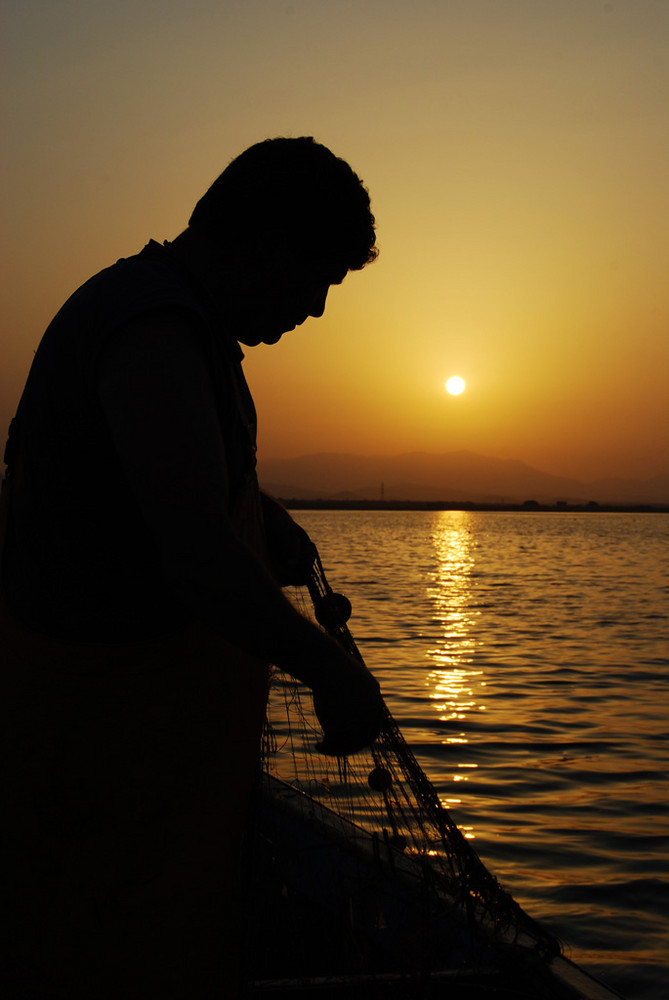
point(455, 687)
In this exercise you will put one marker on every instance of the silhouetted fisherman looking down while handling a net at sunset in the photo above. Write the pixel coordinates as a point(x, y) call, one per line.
point(142, 603)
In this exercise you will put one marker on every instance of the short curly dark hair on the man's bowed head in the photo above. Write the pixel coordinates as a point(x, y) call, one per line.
point(297, 186)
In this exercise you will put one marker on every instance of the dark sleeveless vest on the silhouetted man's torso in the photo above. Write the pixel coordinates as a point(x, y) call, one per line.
point(80, 562)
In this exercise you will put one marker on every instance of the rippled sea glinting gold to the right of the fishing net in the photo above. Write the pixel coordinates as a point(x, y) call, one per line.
point(526, 656)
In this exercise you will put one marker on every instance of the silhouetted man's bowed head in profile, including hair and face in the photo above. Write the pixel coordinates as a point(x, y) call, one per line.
point(295, 219)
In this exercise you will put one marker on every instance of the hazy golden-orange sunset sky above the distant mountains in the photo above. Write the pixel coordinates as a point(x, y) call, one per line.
point(517, 155)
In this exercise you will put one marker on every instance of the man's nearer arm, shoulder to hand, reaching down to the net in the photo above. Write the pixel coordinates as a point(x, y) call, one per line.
point(159, 403)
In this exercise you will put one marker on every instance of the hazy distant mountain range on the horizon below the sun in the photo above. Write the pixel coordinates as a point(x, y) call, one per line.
point(455, 476)
